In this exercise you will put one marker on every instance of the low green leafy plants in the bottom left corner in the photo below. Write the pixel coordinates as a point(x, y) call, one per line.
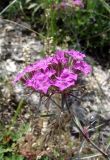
point(8, 142)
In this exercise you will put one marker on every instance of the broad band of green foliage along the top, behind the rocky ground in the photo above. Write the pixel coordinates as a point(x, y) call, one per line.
point(82, 28)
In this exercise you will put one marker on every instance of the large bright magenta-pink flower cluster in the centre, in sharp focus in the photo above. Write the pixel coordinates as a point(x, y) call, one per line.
point(56, 73)
